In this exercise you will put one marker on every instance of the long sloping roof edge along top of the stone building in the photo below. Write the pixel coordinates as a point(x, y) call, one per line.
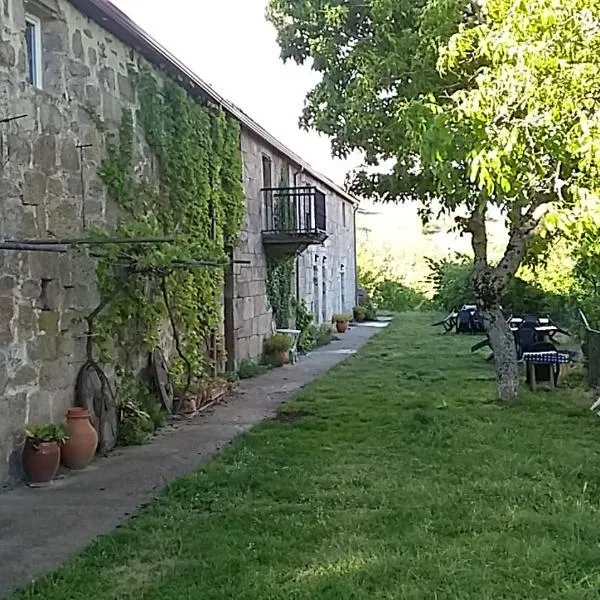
point(114, 20)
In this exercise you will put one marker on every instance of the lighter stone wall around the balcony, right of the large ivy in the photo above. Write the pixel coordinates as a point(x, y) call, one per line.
point(253, 317)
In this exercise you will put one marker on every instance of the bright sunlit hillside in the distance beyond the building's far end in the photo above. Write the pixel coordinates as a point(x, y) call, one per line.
point(393, 235)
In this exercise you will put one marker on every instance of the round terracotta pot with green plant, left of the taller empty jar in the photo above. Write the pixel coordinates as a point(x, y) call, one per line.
point(41, 455)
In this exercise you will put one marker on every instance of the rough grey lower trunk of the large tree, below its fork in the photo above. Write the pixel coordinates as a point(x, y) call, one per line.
point(505, 353)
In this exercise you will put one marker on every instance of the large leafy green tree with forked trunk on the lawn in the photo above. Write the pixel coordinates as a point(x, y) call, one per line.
point(463, 106)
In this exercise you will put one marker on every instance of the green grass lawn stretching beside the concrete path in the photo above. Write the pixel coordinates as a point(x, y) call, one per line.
point(405, 481)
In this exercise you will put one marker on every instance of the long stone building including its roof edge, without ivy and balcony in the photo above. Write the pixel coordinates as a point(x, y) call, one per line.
point(64, 80)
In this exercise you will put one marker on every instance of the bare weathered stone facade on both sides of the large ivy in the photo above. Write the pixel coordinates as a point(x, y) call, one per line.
point(50, 188)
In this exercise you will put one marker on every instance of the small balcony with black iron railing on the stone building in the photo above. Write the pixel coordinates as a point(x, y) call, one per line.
point(295, 218)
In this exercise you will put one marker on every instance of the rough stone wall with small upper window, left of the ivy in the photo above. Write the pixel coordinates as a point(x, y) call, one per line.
point(44, 297)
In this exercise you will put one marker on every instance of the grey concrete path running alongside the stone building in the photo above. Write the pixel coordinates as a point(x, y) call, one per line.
point(41, 528)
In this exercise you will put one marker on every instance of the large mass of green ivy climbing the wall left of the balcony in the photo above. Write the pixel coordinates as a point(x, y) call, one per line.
point(191, 190)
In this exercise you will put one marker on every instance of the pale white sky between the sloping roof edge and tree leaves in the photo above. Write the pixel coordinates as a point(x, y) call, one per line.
point(230, 45)
